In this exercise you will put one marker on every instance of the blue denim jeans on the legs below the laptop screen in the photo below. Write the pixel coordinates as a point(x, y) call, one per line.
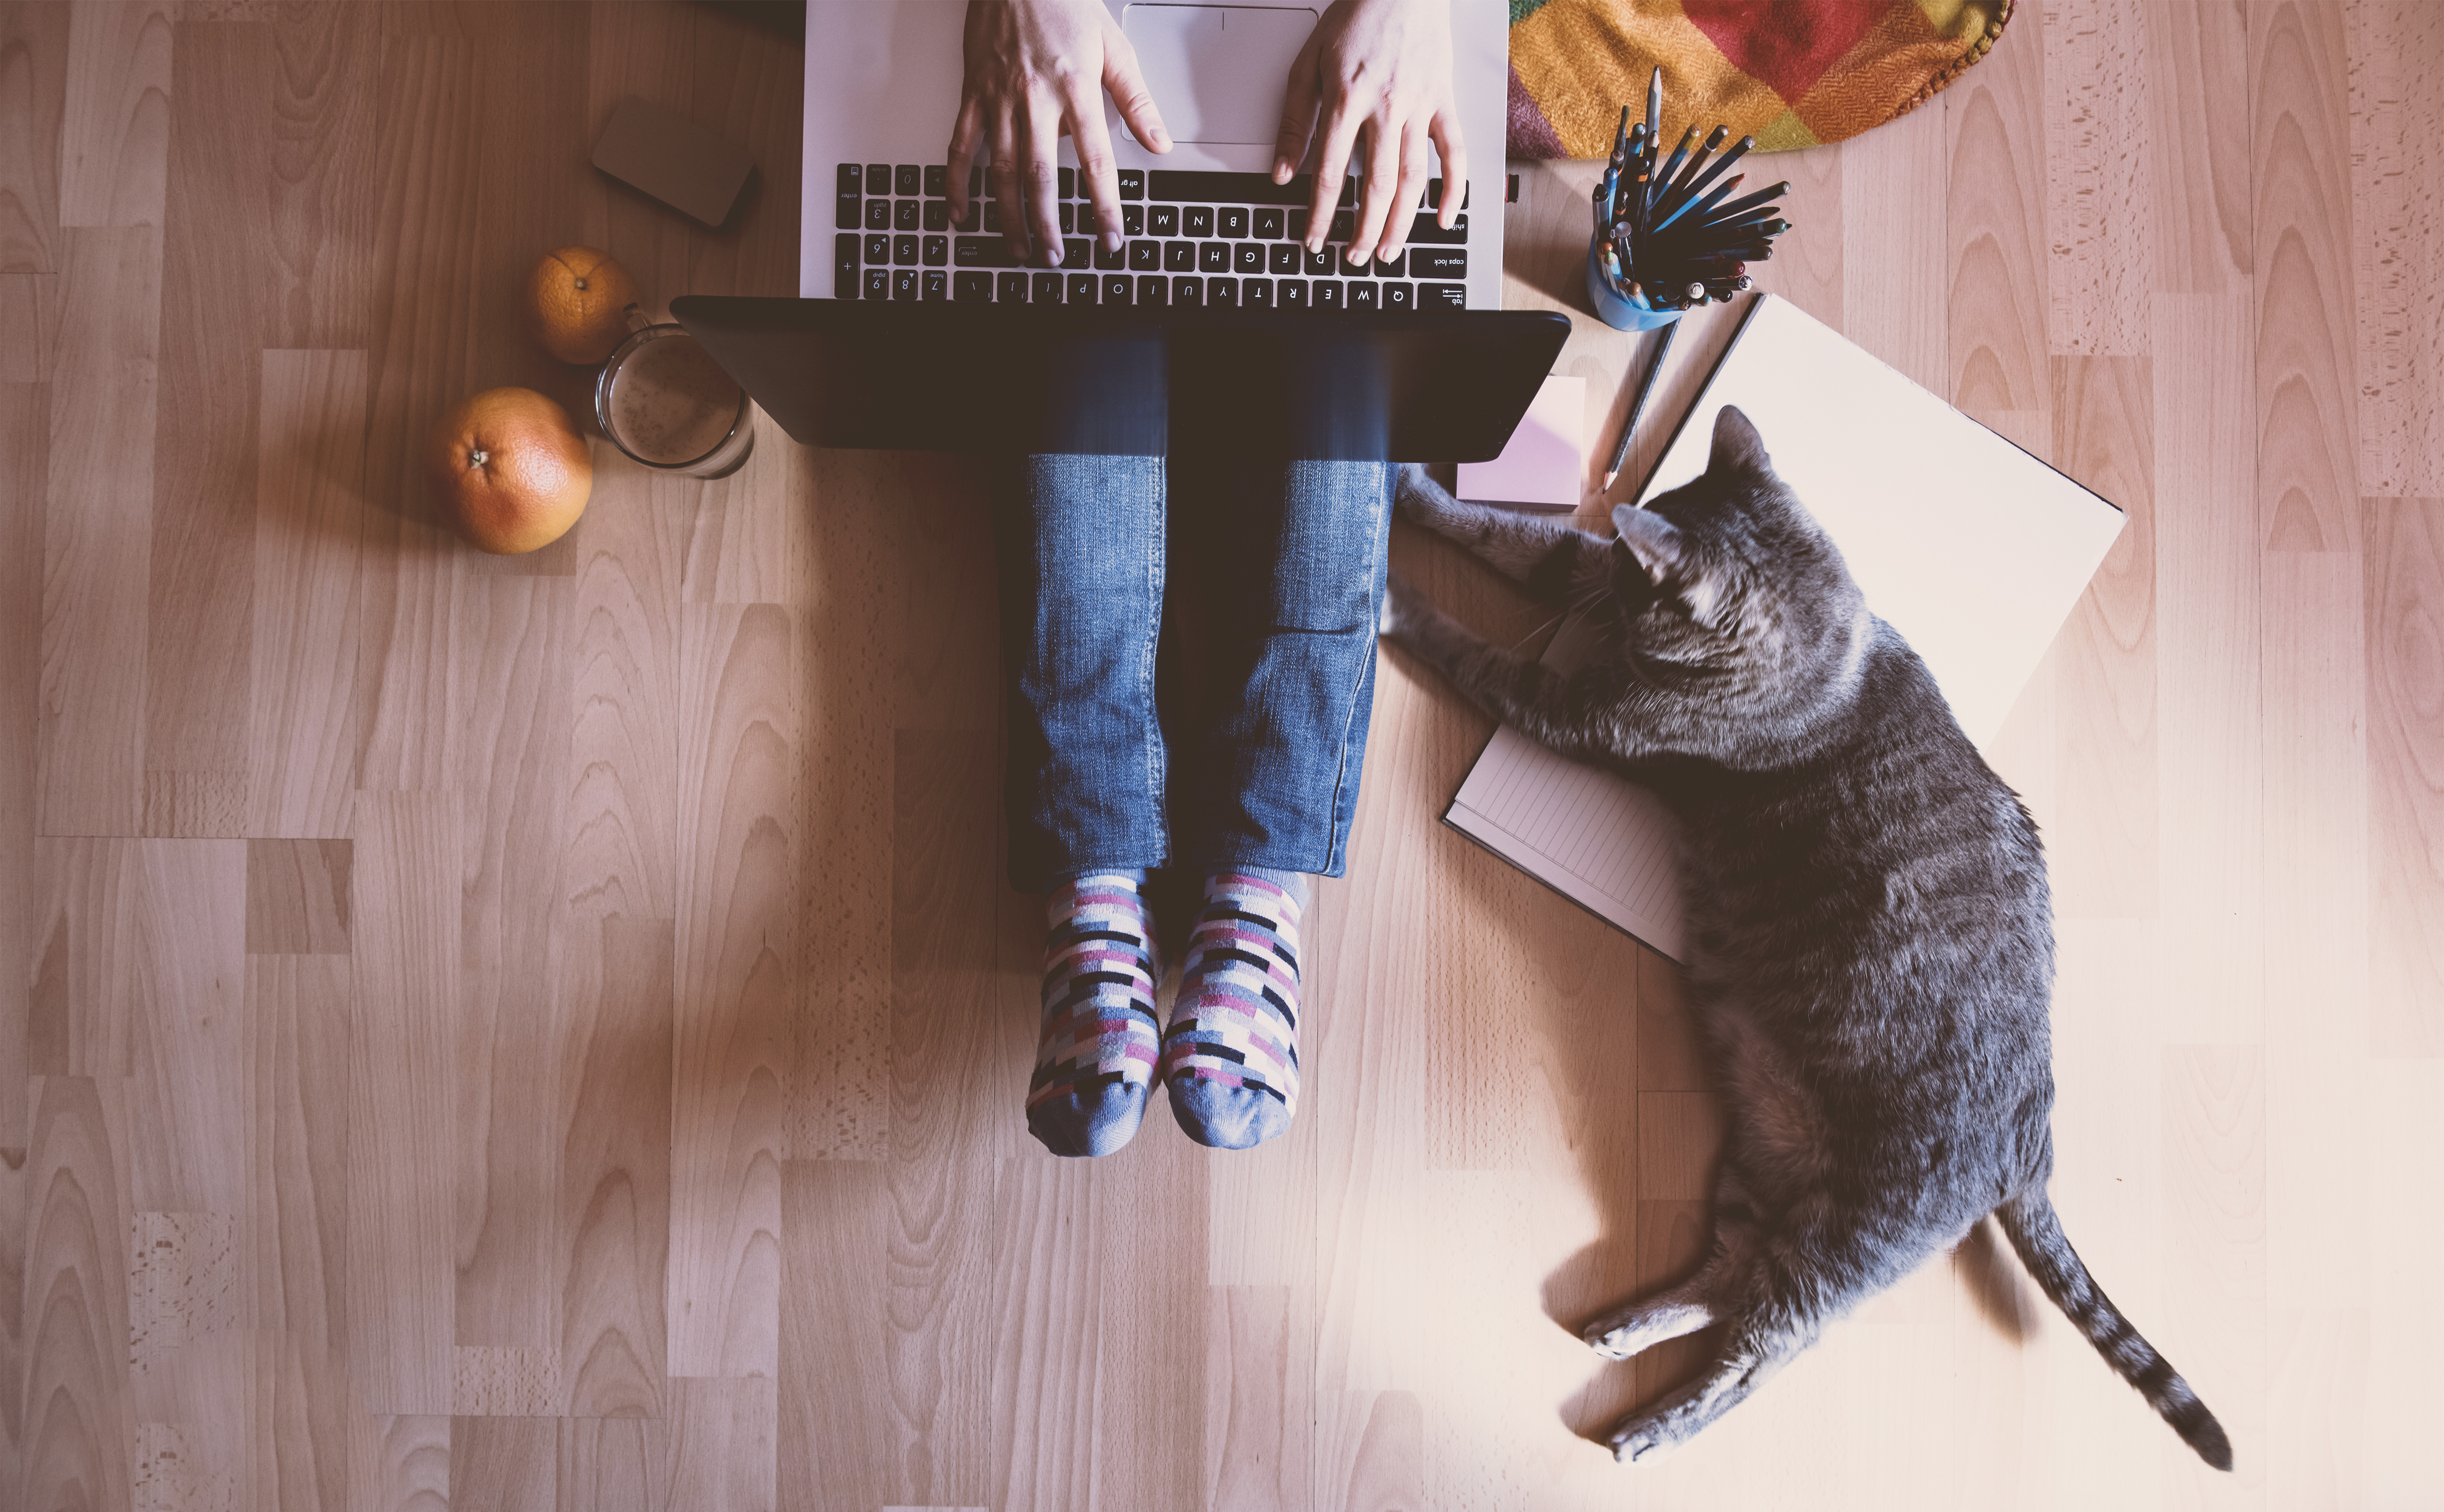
point(1245, 749)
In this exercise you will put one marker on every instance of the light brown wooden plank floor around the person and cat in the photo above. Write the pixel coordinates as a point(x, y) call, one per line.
point(551, 1032)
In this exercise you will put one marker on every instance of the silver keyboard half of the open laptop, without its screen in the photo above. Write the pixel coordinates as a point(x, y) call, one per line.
point(1206, 224)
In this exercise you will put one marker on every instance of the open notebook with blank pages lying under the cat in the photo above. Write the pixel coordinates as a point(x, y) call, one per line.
point(1966, 543)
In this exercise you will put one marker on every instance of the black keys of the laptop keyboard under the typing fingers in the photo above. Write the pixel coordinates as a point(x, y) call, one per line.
point(1194, 238)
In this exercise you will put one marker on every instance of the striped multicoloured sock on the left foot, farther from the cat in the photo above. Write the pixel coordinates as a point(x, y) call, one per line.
point(1096, 1047)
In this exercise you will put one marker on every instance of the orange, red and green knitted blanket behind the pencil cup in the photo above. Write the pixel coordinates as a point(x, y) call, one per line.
point(1783, 72)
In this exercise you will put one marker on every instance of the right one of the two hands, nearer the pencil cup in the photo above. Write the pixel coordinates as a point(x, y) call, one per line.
point(1375, 77)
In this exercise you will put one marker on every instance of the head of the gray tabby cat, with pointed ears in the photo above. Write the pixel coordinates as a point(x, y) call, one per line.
point(1729, 570)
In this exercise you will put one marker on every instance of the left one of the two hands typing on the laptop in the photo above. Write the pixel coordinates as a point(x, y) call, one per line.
point(1035, 72)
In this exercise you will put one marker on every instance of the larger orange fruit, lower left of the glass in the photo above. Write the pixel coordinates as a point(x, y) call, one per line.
point(512, 470)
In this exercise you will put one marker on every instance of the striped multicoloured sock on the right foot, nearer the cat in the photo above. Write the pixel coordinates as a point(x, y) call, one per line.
point(1231, 1056)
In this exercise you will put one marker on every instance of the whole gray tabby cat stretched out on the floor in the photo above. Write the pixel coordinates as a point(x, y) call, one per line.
point(1871, 939)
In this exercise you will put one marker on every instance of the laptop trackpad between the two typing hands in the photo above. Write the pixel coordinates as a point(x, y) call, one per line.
point(1218, 72)
